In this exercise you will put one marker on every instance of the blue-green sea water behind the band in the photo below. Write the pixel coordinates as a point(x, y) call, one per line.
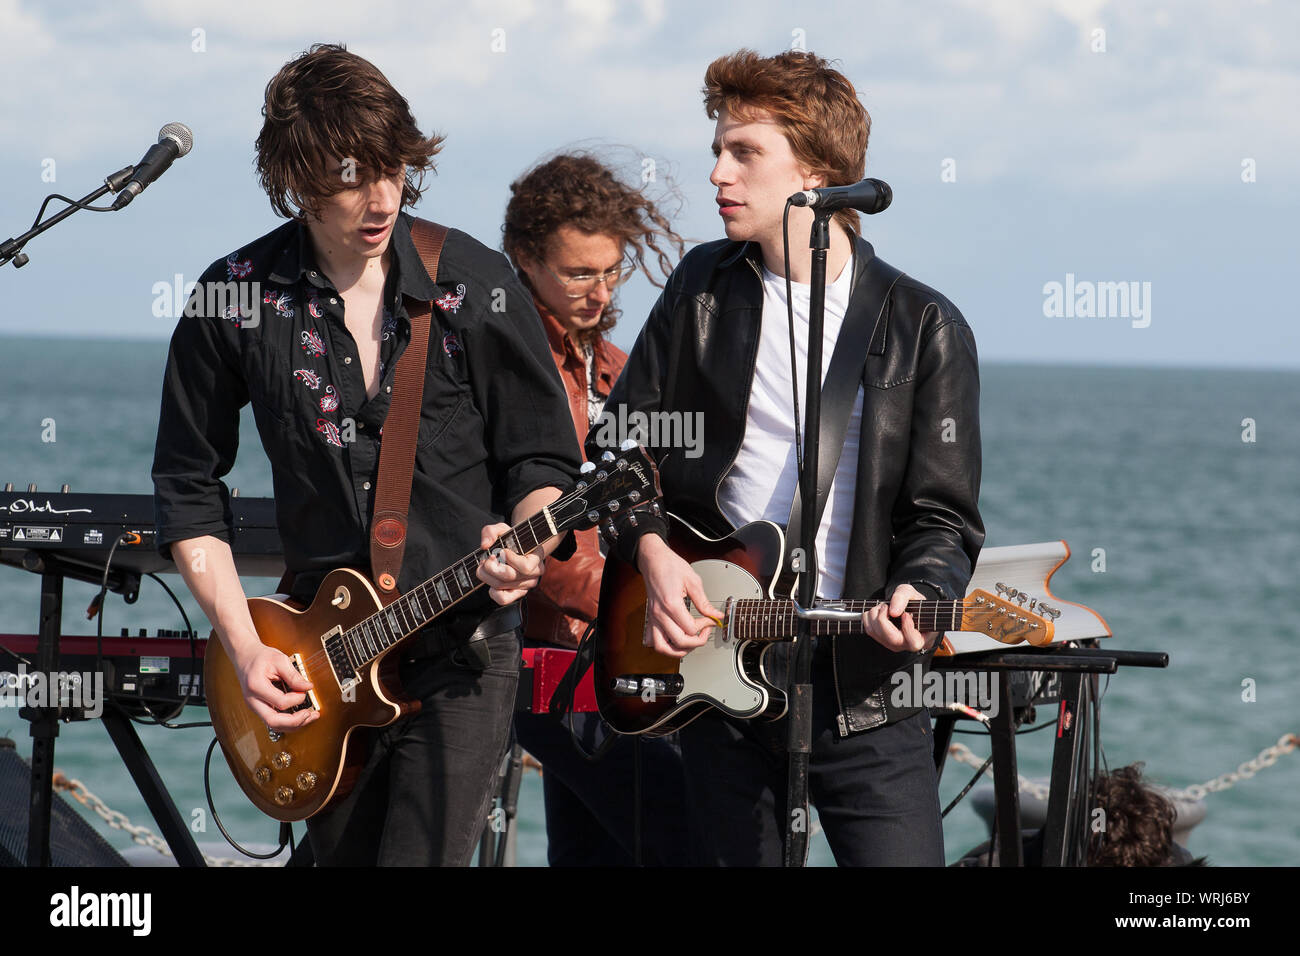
point(1178, 492)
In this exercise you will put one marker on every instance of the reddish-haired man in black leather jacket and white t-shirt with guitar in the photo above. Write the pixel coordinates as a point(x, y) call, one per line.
point(902, 521)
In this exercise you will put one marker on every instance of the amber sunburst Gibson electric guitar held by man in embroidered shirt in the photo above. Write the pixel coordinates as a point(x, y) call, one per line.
point(344, 644)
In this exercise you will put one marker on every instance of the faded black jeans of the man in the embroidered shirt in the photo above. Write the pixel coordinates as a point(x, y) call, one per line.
point(424, 794)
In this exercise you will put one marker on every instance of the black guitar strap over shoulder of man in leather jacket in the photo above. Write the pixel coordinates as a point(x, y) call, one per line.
point(863, 330)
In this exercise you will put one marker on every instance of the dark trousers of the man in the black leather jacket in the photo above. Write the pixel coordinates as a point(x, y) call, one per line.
point(877, 793)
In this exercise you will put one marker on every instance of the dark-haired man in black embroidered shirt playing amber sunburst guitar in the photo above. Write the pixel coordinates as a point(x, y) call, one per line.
point(317, 352)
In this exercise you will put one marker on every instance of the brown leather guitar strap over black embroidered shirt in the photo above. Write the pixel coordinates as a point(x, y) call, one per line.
point(401, 427)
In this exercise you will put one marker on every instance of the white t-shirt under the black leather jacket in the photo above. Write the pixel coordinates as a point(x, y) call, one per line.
point(764, 481)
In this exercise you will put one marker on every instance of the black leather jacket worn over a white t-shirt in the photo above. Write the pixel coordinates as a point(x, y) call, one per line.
point(916, 518)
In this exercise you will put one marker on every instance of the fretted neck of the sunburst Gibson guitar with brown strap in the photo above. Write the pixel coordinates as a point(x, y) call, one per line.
point(426, 602)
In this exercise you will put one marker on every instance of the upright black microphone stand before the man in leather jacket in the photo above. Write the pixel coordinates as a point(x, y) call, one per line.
point(800, 743)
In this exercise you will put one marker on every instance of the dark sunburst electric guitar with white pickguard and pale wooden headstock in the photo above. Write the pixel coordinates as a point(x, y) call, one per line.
point(642, 691)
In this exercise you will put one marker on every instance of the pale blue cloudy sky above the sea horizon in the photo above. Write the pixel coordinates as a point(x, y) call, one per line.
point(1090, 183)
